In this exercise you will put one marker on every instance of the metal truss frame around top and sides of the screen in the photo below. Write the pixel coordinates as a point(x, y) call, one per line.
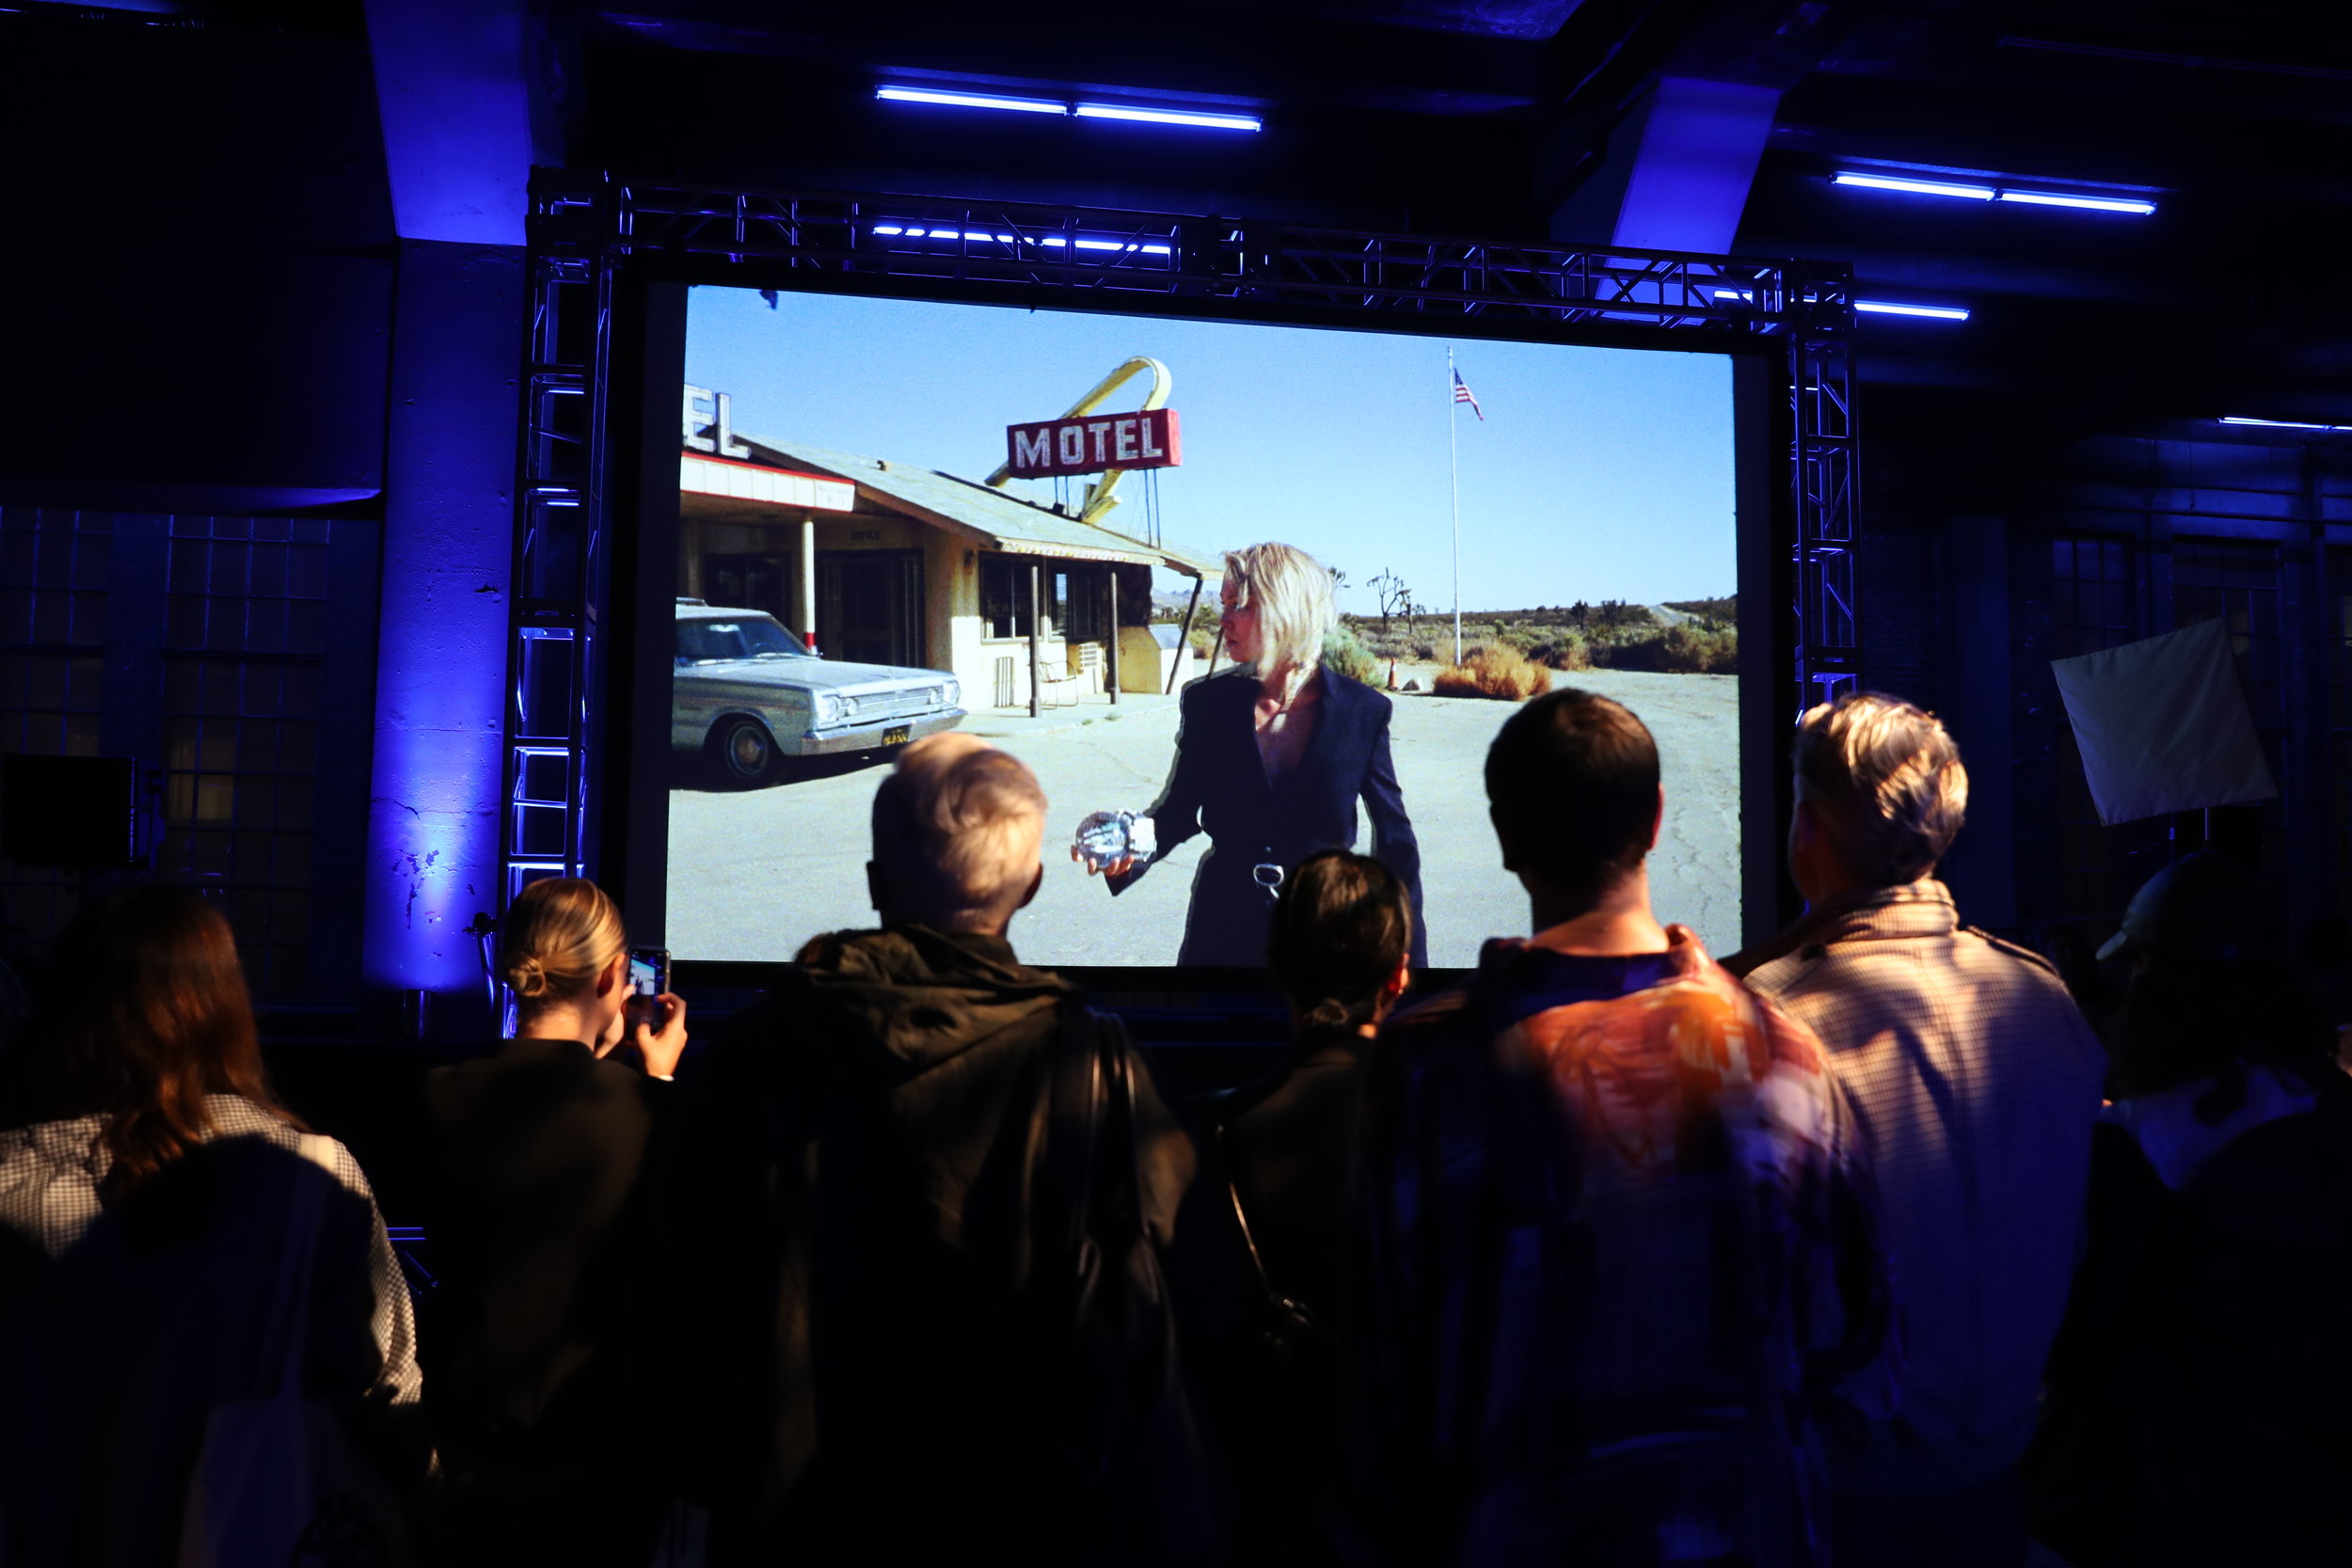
point(587, 227)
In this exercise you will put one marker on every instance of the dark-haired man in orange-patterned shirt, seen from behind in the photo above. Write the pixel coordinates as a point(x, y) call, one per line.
point(1617, 1242)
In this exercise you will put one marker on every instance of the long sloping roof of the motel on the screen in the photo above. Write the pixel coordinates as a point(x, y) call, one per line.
point(977, 514)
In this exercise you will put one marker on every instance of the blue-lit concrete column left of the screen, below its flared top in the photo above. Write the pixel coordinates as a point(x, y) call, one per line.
point(441, 655)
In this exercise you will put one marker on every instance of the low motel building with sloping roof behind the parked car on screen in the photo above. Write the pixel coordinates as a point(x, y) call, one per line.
point(902, 565)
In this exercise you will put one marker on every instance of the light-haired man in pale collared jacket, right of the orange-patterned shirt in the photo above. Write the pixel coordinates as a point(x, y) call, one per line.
point(1977, 1085)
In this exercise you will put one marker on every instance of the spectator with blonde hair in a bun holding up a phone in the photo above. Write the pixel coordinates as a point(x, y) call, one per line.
point(537, 1188)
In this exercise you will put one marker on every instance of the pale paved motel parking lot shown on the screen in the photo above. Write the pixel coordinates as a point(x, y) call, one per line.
point(761, 871)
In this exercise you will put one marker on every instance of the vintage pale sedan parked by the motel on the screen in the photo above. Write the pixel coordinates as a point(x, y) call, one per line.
point(749, 692)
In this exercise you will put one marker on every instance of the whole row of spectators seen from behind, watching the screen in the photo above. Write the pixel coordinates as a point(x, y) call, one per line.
point(1864, 1247)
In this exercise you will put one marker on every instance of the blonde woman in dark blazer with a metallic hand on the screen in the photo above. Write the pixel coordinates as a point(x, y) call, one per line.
point(1271, 763)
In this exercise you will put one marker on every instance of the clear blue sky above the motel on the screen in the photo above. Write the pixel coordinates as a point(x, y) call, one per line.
point(1601, 474)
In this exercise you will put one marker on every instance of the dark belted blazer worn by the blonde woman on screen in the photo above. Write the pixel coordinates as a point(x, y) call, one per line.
point(1220, 786)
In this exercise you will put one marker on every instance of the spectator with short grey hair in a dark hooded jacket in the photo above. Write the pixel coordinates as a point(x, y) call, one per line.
point(883, 1209)
